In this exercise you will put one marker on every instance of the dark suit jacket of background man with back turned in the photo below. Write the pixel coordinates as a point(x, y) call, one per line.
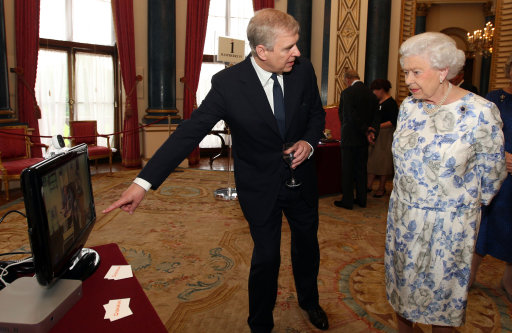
point(357, 112)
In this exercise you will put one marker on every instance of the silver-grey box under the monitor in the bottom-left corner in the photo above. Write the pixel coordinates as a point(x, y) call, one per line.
point(26, 306)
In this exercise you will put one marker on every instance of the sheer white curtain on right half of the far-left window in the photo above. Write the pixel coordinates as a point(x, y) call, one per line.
point(95, 92)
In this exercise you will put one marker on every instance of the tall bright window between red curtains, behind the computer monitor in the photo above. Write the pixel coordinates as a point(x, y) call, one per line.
point(77, 66)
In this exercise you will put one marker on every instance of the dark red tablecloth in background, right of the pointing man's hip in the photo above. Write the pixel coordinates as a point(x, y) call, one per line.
point(328, 165)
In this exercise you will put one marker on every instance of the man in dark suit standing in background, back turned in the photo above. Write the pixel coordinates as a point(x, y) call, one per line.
point(357, 112)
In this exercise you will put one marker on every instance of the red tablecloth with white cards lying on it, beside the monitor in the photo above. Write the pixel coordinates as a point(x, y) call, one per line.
point(87, 314)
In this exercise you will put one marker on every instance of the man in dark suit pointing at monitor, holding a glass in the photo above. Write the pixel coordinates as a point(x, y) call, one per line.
point(249, 97)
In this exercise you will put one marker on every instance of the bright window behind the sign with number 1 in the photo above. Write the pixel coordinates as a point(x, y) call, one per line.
point(225, 18)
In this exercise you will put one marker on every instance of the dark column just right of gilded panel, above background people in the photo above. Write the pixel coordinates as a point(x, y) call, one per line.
point(377, 40)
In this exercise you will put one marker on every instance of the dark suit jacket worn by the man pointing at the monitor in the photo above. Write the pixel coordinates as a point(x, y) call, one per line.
point(238, 98)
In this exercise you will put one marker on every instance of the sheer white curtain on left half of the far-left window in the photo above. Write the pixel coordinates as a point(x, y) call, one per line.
point(52, 93)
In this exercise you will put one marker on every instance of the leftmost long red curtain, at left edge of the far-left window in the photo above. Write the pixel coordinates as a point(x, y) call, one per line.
point(27, 48)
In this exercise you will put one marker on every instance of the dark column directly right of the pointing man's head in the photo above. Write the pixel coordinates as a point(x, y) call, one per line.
point(301, 10)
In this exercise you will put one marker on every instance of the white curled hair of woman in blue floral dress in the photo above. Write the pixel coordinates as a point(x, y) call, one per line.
point(439, 49)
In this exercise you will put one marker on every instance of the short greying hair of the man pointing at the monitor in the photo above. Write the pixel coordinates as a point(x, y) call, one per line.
point(266, 25)
